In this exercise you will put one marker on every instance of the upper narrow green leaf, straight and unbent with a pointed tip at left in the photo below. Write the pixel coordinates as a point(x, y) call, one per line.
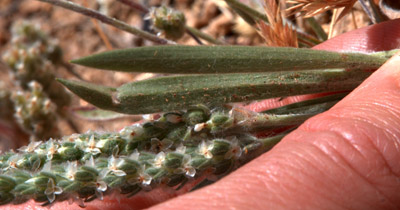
point(228, 59)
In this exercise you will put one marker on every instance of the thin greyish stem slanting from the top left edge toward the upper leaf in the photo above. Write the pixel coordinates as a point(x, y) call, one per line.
point(107, 20)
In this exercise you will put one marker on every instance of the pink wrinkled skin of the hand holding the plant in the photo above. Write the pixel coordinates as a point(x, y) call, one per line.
point(345, 158)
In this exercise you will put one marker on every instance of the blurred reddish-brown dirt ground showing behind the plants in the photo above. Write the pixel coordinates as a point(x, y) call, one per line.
point(78, 36)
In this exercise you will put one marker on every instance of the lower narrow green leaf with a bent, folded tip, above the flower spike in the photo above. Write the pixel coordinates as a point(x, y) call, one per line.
point(180, 92)
